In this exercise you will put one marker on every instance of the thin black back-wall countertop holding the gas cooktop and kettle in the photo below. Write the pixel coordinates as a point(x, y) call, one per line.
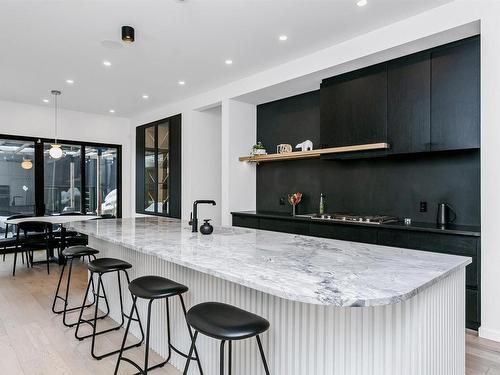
point(464, 230)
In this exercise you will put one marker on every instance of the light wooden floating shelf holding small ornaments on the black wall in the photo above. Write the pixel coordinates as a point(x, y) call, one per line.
point(313, 153)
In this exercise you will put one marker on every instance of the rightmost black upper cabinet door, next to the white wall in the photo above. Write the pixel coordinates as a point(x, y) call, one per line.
point(455, 96)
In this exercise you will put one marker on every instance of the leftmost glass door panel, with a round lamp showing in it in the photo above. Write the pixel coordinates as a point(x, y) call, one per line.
point(17, 178)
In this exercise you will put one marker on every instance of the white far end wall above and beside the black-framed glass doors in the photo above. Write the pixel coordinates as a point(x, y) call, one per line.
point(38, 121)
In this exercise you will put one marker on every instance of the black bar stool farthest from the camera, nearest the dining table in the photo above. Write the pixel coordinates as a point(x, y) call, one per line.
point(71, 253)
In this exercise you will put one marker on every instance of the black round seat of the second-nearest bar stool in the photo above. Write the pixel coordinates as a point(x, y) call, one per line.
point(152, 287)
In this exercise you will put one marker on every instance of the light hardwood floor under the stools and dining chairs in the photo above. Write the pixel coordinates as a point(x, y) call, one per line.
point(33, 341)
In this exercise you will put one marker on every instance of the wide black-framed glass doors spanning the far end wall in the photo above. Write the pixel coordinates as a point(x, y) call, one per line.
point(86, 179)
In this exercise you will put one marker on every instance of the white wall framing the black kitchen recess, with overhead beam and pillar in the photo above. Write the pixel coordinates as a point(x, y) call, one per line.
point(438, 26)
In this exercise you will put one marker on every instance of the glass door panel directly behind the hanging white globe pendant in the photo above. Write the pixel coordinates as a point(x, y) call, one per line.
point(62, 180)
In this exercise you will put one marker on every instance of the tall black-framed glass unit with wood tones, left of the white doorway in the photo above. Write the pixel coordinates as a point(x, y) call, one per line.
point(158, 167)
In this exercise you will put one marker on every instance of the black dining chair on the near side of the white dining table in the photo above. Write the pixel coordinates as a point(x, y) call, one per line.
point(34, 236)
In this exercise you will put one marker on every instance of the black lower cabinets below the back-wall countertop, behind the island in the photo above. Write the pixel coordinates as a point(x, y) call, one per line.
point(427, 241)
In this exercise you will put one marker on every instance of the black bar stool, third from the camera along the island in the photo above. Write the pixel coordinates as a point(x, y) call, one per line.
point(102, 266)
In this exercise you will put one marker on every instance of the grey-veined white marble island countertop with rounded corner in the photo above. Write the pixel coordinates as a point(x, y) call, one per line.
point(299, 268)
